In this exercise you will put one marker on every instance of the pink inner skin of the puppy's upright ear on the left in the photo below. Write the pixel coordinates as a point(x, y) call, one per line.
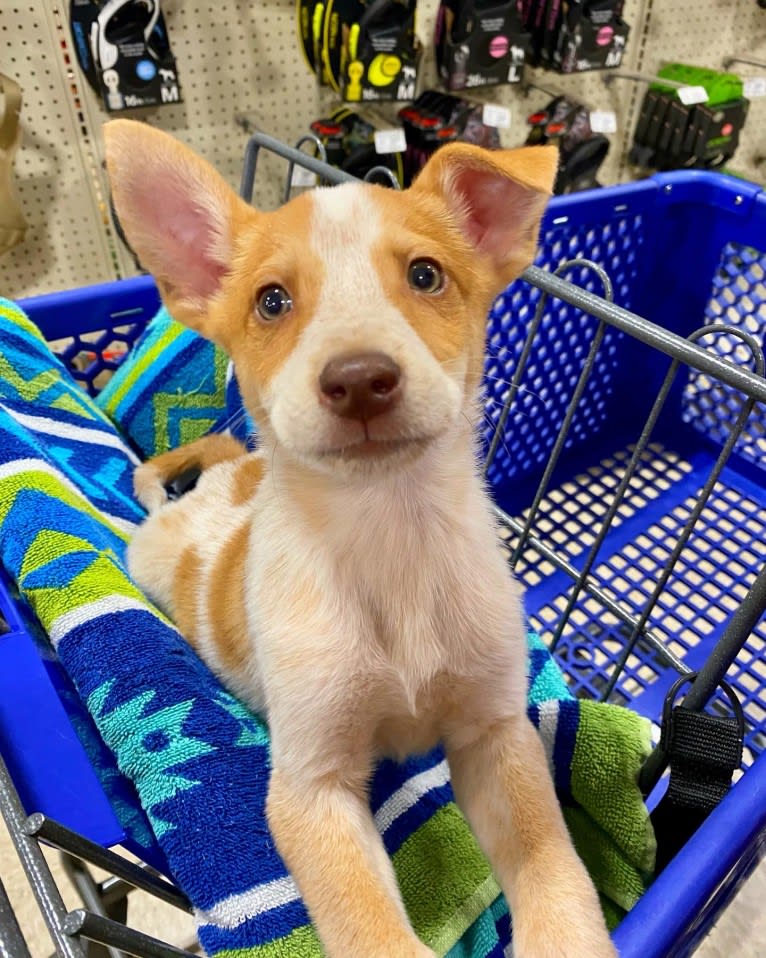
point(176, 228)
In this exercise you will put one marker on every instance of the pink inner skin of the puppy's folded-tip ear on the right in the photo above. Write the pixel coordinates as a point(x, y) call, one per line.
point(497, 210)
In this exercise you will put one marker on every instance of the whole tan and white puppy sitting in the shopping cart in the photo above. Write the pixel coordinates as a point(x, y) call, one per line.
point(346, 580)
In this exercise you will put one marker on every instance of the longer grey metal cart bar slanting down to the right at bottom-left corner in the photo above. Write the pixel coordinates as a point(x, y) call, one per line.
point(36, 868)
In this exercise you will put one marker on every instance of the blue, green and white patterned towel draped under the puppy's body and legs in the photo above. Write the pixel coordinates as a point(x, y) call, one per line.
point(198, 761)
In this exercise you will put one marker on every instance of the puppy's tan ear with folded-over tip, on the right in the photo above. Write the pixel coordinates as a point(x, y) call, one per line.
point(497, 196)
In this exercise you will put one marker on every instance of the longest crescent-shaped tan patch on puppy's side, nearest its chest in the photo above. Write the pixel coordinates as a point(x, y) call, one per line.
point(226, 602)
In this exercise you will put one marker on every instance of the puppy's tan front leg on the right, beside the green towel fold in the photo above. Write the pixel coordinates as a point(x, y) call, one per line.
point(502, 783)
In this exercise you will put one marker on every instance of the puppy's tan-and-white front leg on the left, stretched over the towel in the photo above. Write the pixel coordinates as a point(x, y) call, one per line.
point(327, 838)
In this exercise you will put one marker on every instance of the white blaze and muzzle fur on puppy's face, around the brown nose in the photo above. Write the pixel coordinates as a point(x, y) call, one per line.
point(353, 315)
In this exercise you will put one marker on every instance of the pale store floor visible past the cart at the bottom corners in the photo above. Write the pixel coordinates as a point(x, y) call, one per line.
point(741, 931)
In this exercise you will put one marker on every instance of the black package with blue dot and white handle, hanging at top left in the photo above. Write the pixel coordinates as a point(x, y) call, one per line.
point(123, 49)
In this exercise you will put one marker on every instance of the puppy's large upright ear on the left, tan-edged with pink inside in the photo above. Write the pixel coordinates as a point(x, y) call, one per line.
point(177, 213)
